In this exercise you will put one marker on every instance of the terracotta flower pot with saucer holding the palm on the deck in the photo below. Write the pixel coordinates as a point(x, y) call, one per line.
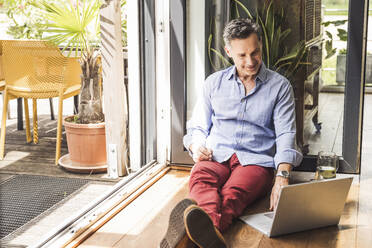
point(87, 147)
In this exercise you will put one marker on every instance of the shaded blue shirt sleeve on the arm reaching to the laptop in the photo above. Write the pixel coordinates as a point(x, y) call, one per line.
point(285, 128)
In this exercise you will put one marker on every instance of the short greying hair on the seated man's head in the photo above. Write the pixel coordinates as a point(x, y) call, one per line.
point(240, 29)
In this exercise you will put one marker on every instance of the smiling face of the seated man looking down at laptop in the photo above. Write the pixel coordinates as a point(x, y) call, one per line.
point(246, 54)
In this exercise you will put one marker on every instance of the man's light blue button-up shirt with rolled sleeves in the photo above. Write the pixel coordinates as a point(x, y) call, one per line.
point(259, 127)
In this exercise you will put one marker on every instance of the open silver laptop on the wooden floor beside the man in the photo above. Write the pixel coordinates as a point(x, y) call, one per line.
point(304, 206)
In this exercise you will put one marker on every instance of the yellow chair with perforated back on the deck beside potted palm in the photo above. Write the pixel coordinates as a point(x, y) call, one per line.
point(37, 70)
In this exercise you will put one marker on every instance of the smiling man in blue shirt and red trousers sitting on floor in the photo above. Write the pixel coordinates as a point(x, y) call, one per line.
point(242, 128)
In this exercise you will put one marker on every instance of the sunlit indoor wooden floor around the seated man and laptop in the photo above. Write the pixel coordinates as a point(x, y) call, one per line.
point(144, 222)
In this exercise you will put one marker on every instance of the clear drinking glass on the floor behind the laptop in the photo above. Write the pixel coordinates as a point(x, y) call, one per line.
point(327, 165)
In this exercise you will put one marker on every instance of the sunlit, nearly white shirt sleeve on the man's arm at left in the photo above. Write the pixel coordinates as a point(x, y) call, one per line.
point(199, 125)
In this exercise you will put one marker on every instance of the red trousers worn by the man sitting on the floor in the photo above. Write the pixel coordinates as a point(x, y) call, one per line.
point(225, 189)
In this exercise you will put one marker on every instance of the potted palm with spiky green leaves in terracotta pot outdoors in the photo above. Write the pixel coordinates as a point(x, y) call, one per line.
point(75, 26)
